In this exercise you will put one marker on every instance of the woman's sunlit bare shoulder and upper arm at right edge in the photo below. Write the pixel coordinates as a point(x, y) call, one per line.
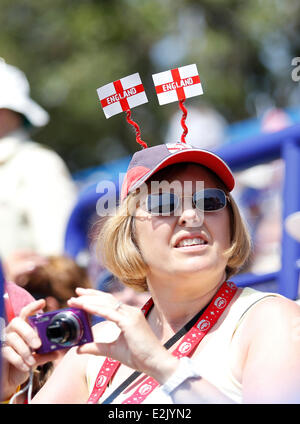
point(270, 336)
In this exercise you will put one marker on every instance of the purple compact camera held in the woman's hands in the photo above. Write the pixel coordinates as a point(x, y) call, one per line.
point(62, 329)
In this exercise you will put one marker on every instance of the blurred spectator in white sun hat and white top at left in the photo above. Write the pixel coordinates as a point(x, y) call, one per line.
point(37, 192)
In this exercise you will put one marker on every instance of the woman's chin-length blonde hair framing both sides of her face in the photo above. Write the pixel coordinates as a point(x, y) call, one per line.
point(121, 255)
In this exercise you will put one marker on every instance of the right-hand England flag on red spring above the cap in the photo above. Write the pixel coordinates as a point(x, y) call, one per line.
point(177, 84)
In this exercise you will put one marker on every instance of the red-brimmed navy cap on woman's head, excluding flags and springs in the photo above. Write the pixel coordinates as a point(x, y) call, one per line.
point(147, 162)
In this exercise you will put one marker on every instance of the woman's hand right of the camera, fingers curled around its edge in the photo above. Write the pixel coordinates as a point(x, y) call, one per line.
point(137, 346)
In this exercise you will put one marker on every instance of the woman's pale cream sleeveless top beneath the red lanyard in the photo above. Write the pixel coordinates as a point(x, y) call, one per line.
point(213, 361)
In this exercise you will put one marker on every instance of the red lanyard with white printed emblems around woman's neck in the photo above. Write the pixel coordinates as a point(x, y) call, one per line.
point(187, 346)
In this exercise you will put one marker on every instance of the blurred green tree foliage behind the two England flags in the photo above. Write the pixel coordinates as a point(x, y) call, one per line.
point(68, 48)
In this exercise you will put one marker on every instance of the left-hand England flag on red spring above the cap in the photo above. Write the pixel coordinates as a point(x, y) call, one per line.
point(122, 95)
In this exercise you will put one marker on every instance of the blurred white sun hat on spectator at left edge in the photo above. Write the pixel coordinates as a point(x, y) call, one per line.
point(15, 95)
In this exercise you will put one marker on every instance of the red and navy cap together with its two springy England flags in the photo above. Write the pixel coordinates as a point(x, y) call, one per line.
point(172, 85)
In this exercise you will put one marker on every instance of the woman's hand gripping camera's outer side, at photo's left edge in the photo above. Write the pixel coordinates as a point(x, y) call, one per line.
point(18, 356)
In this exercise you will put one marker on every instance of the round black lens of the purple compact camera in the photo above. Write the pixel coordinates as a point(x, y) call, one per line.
point(64, 329)
